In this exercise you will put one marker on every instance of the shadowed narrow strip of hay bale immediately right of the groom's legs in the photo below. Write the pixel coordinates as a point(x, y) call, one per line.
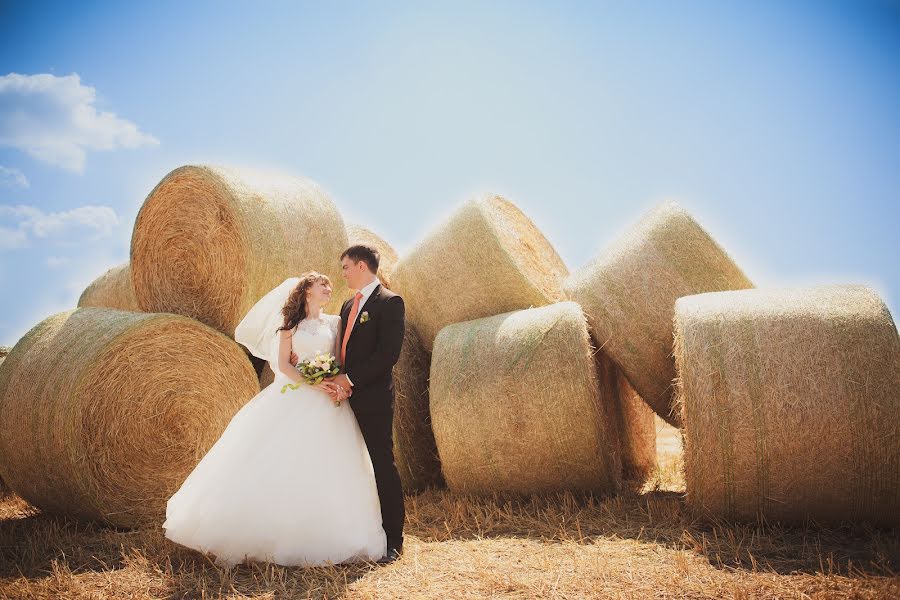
point(414, 447)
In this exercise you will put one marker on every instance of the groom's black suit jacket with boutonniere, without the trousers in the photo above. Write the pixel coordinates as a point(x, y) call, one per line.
point(373, 349)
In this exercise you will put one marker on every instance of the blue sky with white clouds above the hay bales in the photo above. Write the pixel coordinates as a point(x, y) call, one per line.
point(775, 123)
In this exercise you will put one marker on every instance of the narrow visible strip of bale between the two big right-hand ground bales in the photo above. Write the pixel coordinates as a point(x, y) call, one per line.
point(637, 431)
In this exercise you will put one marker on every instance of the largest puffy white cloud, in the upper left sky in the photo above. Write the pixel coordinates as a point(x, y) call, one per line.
point(53, 119)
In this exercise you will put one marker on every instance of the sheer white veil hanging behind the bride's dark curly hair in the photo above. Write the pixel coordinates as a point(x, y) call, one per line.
point(258, 330)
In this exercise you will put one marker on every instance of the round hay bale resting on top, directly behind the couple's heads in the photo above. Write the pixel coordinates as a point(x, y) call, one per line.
point(210, 241)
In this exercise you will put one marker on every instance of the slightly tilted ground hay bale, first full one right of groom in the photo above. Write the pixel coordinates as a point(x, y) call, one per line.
point(516, 405)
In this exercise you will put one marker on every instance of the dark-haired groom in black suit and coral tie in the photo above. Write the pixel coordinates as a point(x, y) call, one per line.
point(372, 325)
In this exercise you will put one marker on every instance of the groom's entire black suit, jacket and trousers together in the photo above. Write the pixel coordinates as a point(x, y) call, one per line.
point(372, 351)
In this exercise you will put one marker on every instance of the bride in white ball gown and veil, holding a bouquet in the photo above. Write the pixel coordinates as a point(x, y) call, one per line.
point(290, 480)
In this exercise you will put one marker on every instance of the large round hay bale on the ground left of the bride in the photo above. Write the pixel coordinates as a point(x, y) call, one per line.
point(103, 413)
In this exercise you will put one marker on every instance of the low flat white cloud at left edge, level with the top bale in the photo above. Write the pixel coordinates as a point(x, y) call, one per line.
point(31, 222)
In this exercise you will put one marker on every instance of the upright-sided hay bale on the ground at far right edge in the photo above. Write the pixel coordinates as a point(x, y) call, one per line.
point(791, 404)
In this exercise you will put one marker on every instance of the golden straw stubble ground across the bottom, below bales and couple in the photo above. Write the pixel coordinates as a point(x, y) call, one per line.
point(540, 547)
